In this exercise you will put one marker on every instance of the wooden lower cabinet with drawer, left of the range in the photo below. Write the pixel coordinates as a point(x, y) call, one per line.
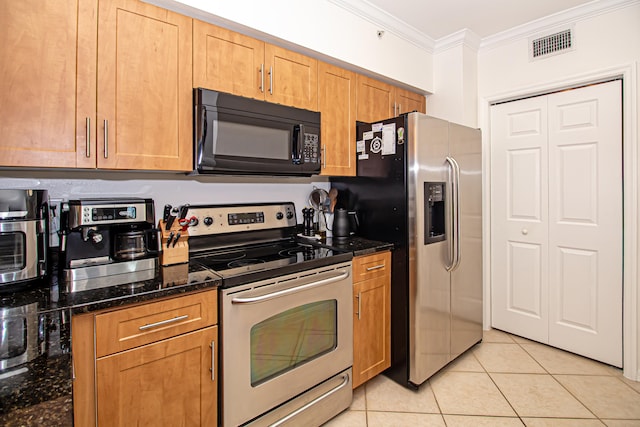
point(168, 381)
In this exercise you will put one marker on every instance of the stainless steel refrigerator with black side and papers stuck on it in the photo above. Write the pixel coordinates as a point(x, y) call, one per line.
point(419, 186)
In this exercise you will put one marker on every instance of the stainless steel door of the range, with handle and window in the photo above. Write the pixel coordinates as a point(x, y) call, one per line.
point(283, 336)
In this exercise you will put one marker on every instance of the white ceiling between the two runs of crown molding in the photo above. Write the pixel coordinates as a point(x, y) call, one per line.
point(439, 18)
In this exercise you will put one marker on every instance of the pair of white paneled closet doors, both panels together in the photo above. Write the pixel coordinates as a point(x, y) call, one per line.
point(556, 220)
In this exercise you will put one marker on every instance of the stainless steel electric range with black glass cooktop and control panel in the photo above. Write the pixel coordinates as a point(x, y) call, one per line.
point(286, 315)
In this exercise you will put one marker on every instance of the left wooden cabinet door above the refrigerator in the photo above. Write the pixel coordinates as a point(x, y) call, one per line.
point(375, 100)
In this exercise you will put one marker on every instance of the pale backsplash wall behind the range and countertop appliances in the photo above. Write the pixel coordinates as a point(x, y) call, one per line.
point(164, 188)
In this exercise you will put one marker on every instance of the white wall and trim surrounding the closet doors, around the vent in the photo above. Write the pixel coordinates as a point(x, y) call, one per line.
point(606, 44)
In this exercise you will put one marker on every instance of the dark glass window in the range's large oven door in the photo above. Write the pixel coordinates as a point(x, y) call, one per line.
point(291, 338)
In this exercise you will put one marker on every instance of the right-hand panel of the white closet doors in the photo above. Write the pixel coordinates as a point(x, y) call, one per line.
point(585, 221)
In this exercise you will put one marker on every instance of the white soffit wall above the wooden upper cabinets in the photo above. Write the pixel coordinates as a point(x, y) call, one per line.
point(321, 27)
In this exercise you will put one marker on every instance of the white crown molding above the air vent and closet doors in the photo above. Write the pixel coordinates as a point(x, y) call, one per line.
point(569, 16)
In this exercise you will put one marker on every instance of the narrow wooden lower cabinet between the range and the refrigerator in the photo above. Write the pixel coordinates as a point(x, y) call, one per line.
point(371, 316)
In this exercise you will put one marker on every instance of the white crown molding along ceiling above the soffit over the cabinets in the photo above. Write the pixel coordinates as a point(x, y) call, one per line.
point(386, 21)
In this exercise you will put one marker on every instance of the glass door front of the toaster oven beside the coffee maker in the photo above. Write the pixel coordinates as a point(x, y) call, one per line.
point(20, 246)
